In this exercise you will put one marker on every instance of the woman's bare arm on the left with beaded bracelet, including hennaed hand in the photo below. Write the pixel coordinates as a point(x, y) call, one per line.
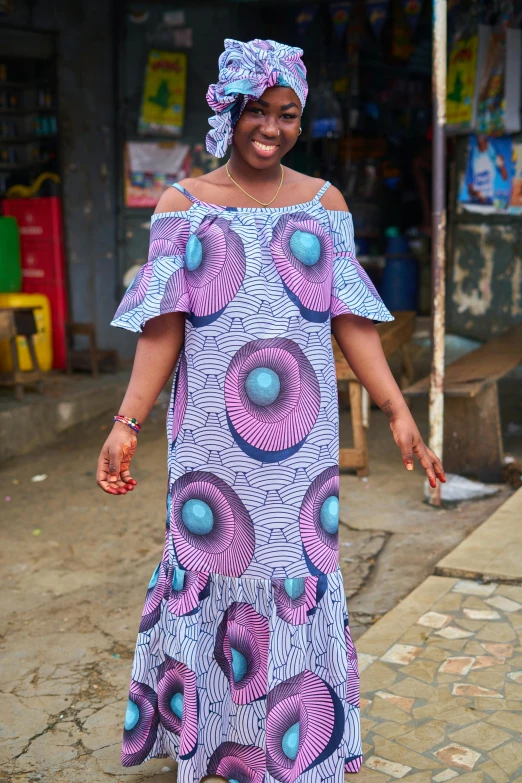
point(157, 352)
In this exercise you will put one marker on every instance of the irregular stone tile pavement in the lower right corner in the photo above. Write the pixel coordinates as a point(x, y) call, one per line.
point(441, 677)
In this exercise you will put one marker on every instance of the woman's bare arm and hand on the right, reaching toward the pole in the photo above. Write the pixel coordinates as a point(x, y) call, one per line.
point(360, 343)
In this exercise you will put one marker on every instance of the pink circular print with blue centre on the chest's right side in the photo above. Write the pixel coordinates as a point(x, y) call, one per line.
point(303, 254)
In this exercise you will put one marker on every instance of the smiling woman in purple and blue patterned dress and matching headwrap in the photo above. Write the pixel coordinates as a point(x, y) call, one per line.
point(245, 668)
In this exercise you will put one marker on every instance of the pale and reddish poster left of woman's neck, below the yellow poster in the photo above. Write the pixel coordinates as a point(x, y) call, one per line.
point(150, 167)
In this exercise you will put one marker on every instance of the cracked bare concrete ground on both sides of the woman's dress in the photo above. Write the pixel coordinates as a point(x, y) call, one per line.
point(75, 568)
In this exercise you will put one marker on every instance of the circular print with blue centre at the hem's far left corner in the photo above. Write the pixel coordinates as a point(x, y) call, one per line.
point(141, 724)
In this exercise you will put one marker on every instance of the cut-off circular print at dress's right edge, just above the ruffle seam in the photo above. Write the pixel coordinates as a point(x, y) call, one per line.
point(319, 521)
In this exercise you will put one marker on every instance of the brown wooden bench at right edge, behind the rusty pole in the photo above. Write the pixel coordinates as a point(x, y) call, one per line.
point(472, 429)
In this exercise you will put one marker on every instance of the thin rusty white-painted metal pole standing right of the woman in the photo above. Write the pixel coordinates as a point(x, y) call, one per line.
point(436, 415)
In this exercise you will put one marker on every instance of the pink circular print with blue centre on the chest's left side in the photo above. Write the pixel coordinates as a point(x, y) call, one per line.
point(214, 268)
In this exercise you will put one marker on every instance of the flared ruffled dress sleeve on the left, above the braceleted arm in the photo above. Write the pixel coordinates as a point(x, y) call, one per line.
point(160, 286)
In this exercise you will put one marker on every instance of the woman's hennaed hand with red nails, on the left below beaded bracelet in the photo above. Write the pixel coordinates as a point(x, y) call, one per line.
point(113, 473)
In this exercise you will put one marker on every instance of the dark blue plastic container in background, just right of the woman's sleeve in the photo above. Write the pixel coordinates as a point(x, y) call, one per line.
point(400, 276)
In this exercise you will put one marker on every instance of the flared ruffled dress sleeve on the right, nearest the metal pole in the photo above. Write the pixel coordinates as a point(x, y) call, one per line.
point(352, 290)
